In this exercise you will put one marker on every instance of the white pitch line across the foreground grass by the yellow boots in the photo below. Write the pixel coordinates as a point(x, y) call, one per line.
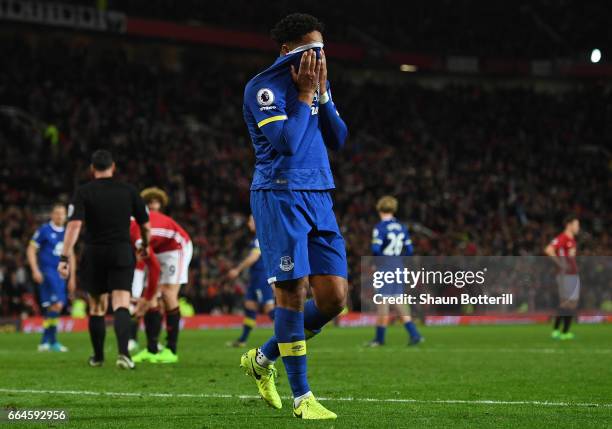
point(229, 396)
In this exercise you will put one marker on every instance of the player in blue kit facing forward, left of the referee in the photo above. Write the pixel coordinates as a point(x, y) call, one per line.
point(43, 255)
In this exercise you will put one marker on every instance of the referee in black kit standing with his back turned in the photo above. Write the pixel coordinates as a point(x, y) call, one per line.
point(106, 205)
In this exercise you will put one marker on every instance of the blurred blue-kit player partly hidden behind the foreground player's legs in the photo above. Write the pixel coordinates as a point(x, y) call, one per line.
point(259, 293)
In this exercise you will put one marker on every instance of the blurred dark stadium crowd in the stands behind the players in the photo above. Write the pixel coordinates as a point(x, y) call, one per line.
point(477, 170)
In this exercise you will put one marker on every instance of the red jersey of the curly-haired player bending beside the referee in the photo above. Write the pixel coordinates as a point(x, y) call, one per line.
point(166, 234)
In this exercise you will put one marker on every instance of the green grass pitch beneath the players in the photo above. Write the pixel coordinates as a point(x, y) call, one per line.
point(461, 377)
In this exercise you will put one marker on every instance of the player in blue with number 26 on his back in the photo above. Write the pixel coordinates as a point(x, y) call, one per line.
point(391, 239)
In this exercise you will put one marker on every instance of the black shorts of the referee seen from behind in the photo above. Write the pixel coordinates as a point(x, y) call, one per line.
point(108, 268)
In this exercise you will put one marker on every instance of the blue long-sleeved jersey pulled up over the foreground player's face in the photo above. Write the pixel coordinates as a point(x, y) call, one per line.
point(290, 138)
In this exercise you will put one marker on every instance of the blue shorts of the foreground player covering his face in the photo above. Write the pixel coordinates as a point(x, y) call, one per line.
point(298, 234)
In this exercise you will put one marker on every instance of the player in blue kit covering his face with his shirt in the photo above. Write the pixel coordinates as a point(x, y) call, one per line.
point(293, 121)
